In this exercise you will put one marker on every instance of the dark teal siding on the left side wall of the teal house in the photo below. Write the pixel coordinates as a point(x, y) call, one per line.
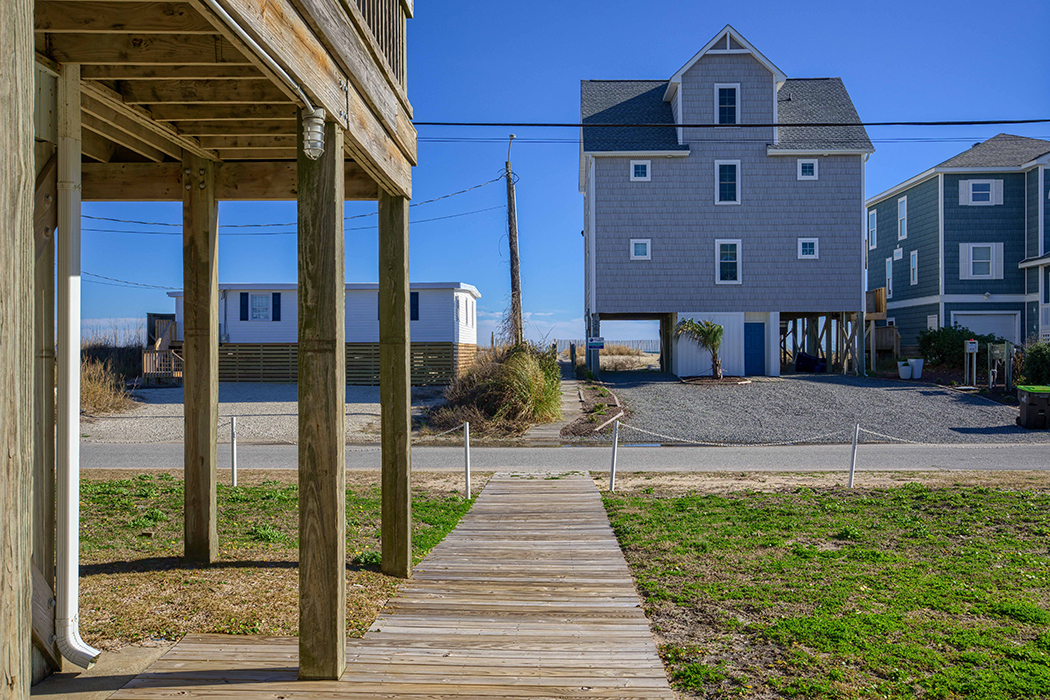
point(923, 230)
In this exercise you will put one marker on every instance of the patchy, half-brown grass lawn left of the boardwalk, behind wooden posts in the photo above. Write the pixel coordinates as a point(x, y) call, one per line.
point(137, 588)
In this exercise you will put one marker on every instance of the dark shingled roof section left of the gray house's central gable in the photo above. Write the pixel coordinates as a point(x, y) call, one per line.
point(627, 102)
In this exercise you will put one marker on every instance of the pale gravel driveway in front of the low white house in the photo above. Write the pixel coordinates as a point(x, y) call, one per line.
point(266, 414)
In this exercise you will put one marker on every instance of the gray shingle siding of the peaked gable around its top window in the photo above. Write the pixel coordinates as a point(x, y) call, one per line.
point(757, 97)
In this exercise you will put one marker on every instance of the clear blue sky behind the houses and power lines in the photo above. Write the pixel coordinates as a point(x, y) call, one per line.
point(523, 62)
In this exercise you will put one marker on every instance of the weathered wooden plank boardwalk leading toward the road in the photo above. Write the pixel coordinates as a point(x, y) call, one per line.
point(529, 598)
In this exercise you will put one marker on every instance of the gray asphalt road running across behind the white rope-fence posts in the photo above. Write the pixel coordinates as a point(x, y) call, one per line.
point(800, 458)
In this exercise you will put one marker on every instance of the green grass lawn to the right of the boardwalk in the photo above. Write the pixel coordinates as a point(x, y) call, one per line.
point(907, 591)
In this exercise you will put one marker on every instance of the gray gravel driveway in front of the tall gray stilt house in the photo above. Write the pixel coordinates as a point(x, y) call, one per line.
point(806, 408)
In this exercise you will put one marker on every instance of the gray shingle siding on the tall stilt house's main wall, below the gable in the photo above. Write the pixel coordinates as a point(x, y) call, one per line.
point(677, 210)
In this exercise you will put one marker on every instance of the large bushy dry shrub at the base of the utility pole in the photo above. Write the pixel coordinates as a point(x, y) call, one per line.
point(506, 392)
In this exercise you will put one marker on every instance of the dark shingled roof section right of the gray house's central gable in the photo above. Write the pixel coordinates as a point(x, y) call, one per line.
point(821, 100)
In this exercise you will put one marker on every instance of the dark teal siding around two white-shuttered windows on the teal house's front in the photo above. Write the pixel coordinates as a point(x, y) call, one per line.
point(974, 225)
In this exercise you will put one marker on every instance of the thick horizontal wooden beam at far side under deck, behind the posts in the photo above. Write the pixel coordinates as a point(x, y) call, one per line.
point(162, 182)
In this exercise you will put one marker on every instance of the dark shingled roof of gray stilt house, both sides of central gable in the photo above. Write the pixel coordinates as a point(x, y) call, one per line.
point(642, 102)
